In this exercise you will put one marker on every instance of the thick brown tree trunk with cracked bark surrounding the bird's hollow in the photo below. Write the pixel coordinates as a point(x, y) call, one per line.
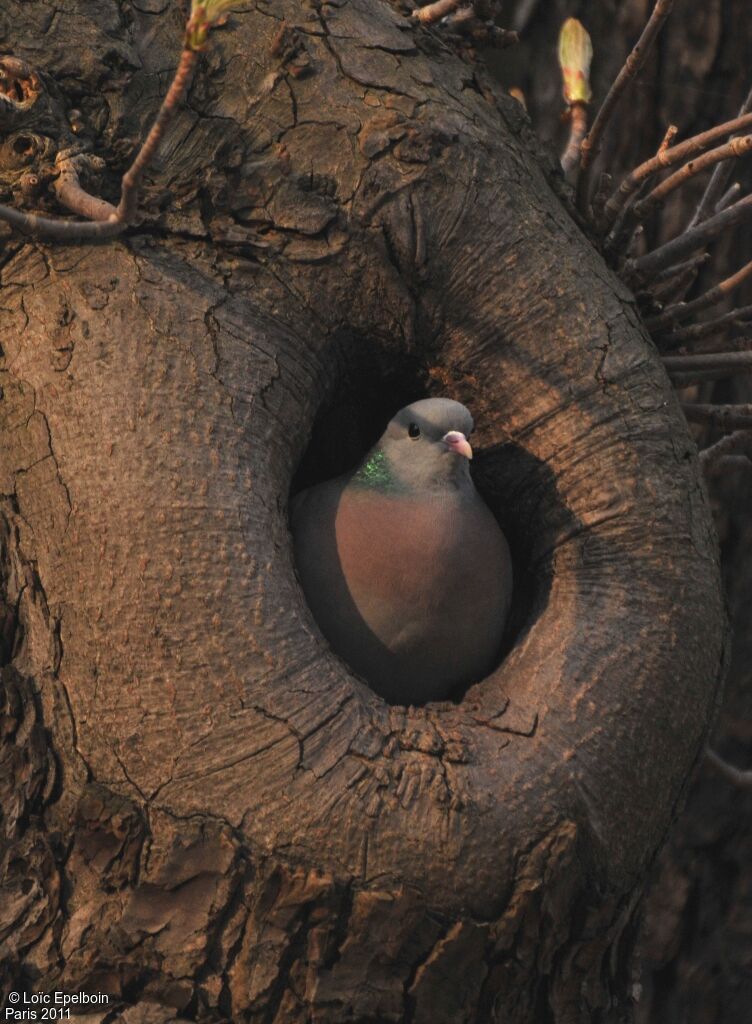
point(205, 815)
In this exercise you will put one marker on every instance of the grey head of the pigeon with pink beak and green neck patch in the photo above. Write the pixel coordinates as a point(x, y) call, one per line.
point(425, 447)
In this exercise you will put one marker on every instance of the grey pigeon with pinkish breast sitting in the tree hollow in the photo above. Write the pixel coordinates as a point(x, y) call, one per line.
point(402, 563)
